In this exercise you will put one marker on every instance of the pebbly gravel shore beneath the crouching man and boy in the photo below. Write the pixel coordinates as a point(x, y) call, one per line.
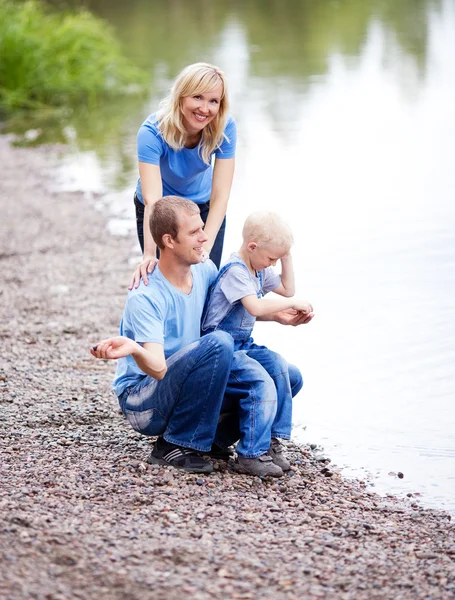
point(84, 516)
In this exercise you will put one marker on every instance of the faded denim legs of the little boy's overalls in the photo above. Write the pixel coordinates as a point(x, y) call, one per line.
point(258, 397)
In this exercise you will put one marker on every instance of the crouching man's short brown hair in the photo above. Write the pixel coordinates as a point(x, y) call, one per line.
point(164, 217)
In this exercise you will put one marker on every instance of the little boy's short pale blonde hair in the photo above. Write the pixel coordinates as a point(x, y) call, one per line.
point(266, 227)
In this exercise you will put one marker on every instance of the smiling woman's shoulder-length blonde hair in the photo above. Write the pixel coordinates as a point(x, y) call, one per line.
point(195, 79)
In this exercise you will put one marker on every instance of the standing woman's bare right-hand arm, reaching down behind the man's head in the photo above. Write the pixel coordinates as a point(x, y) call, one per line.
point(223, 174)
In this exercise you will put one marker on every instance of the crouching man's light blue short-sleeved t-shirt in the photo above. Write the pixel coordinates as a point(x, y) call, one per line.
point(159, 312)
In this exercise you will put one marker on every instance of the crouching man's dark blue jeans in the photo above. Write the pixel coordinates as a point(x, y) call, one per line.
point(185, 405)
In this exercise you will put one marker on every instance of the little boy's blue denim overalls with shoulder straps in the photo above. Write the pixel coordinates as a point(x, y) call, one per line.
point(262, 381)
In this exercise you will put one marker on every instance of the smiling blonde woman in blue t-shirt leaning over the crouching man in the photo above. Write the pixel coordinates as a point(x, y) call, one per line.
point(175, 151)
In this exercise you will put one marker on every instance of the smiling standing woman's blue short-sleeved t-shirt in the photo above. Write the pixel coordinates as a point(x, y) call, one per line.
point(183, 172)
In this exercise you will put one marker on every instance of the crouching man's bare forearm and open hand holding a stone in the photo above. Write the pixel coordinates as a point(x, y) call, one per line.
point(149, 357)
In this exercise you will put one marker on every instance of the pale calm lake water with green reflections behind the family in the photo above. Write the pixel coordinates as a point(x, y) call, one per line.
point(345, 113)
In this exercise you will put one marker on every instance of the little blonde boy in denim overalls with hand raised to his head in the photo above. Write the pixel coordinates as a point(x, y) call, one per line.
point(234, 302)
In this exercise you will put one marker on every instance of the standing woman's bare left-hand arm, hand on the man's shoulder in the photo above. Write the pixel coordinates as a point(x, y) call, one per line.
point(152, 190)
